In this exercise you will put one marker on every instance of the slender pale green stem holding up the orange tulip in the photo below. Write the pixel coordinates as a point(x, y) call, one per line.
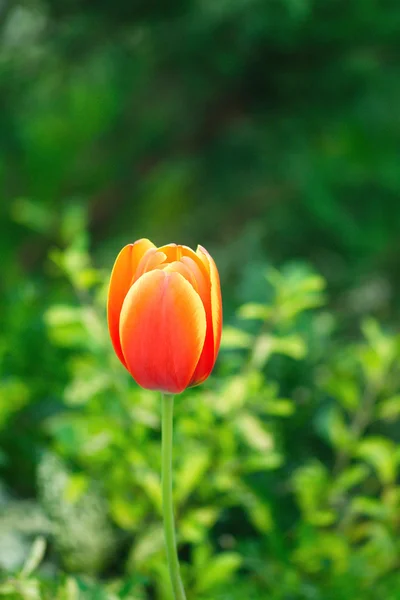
point(168, 509)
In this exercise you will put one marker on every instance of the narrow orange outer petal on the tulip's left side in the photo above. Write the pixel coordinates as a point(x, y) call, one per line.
point(120, 282)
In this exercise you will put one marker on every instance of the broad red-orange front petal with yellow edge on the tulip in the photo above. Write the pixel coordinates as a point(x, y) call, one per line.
point(162, 331)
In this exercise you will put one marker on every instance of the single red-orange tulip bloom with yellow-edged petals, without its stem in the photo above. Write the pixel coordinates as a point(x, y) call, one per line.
point(165, 314)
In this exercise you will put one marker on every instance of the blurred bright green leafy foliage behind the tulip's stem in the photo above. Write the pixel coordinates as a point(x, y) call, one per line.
point(286, 468)
